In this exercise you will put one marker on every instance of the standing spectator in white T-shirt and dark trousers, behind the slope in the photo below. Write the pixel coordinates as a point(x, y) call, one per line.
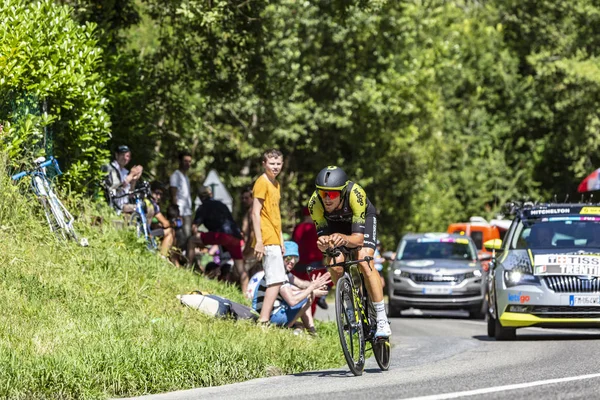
point(181, 195)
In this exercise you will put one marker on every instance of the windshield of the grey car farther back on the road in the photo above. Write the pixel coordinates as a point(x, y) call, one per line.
point(448, 249)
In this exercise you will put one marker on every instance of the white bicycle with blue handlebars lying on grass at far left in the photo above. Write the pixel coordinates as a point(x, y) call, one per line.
point(57, 216)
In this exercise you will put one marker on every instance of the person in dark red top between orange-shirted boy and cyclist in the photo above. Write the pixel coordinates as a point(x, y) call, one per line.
point(305, 234)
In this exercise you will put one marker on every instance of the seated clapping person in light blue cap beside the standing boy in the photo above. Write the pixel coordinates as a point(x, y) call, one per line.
point(295, 295)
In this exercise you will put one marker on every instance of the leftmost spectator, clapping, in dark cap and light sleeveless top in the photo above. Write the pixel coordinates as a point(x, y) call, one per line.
point(120, 181)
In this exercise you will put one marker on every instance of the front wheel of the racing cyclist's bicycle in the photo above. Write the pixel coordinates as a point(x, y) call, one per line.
point(349, 325)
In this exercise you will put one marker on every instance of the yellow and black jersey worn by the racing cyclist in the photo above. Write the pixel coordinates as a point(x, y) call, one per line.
point(355, 214)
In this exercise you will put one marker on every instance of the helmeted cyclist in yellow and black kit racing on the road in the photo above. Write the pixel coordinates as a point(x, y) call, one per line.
point(344, 216)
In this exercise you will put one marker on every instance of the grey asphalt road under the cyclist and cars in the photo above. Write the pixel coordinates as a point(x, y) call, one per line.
point(445, 356)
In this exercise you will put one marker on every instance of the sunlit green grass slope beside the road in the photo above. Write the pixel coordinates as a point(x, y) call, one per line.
point(103, 321)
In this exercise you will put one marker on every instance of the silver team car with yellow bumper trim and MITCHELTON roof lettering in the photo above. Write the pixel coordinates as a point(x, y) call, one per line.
point(547, 271)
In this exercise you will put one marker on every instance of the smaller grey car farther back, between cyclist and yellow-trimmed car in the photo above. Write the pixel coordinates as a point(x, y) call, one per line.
point(437, 271)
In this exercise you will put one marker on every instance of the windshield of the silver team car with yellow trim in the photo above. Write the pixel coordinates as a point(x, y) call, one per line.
point(557, 232)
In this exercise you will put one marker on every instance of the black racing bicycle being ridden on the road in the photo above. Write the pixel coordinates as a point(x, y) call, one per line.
point(355, 314)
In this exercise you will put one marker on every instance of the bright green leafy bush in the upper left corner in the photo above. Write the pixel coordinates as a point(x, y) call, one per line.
point(51, 88)
